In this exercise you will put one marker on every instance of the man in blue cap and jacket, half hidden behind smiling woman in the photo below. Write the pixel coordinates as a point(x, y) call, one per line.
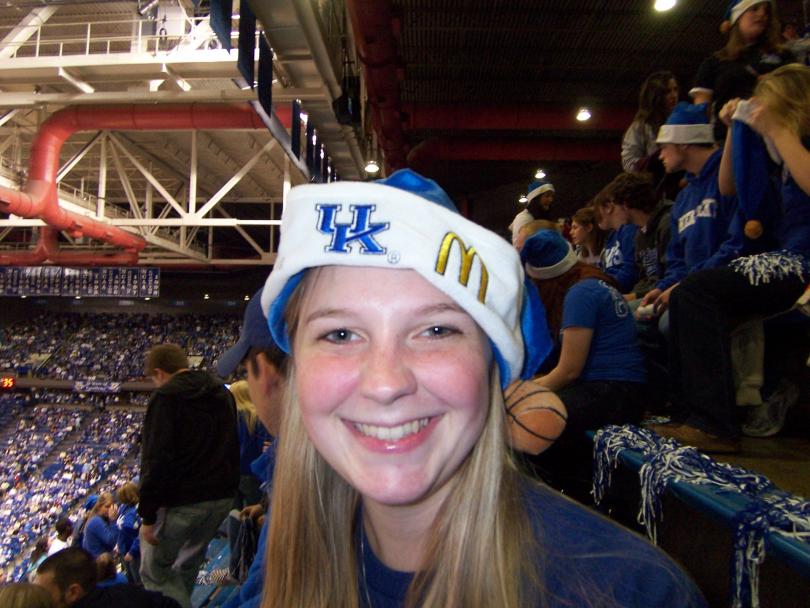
point(266, 367)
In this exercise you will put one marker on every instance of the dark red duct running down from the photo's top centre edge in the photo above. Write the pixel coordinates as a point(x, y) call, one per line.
point(373, 25)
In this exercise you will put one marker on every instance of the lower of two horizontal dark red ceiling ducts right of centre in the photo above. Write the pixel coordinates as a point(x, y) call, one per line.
point(471, 149)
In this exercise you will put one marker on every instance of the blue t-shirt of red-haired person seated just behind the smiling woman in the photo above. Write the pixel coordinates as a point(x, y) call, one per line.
point(615, 353)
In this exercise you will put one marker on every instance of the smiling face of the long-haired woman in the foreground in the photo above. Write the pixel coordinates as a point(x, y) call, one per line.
point(392, 379)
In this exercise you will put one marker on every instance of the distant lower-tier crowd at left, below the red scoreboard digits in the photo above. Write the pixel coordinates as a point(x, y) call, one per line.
point(39, 487)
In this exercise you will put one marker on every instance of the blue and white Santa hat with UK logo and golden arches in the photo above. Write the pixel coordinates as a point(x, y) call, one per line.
point(408, 221)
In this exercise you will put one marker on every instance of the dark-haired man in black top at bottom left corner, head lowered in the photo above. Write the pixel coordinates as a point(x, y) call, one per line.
point(70, 578)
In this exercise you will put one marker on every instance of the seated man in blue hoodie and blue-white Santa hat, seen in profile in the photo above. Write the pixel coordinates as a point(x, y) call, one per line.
point(706, 229)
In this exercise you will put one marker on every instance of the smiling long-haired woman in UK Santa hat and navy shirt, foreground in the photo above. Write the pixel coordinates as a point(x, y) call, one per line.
point(393, 486)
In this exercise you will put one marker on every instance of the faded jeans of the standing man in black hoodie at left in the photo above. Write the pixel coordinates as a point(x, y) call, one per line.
point(184, 532)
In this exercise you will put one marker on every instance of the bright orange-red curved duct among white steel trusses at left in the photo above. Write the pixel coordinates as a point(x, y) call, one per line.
point(39, 199)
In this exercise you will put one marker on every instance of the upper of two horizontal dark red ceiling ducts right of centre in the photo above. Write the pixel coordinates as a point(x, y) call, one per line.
point(513, 118)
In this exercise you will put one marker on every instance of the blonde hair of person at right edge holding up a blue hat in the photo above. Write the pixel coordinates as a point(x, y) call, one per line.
point(786, 92)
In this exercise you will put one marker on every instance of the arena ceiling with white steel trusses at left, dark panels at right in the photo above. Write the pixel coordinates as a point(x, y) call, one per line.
point(476, 94)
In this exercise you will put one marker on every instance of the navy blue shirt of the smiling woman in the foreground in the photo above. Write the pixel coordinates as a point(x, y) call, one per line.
point(583, 553)
